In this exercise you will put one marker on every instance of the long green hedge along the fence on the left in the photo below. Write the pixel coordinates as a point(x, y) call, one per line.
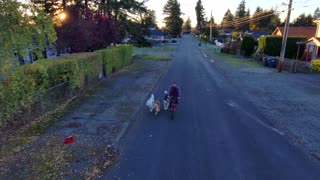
point(17, 88)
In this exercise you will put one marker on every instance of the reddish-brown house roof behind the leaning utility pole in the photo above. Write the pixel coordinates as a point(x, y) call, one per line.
point(309, 32)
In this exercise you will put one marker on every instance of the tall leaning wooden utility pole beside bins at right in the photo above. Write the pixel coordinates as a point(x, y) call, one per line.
point(285, 36)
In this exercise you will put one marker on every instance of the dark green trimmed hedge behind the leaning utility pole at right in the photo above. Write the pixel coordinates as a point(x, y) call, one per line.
point(271, 45)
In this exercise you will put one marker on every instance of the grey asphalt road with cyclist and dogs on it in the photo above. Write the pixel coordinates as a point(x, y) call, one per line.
point(217, 133)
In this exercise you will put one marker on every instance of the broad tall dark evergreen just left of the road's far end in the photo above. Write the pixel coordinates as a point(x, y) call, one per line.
point(173, 20)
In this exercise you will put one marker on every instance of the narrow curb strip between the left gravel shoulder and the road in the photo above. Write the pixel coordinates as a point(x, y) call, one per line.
point(127, 125)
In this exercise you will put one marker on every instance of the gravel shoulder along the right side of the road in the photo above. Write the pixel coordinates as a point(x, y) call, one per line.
point(290, 101)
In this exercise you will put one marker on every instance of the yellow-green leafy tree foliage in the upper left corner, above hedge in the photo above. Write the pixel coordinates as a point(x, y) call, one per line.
point(20, 31)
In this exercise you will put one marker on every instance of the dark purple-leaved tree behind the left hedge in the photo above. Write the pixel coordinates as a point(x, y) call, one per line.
point(85, 31)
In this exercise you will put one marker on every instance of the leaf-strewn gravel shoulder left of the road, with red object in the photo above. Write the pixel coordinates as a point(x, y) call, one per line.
point(95, 123)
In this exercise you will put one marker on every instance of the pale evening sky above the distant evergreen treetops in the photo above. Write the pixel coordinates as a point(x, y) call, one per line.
point(219, 7)
